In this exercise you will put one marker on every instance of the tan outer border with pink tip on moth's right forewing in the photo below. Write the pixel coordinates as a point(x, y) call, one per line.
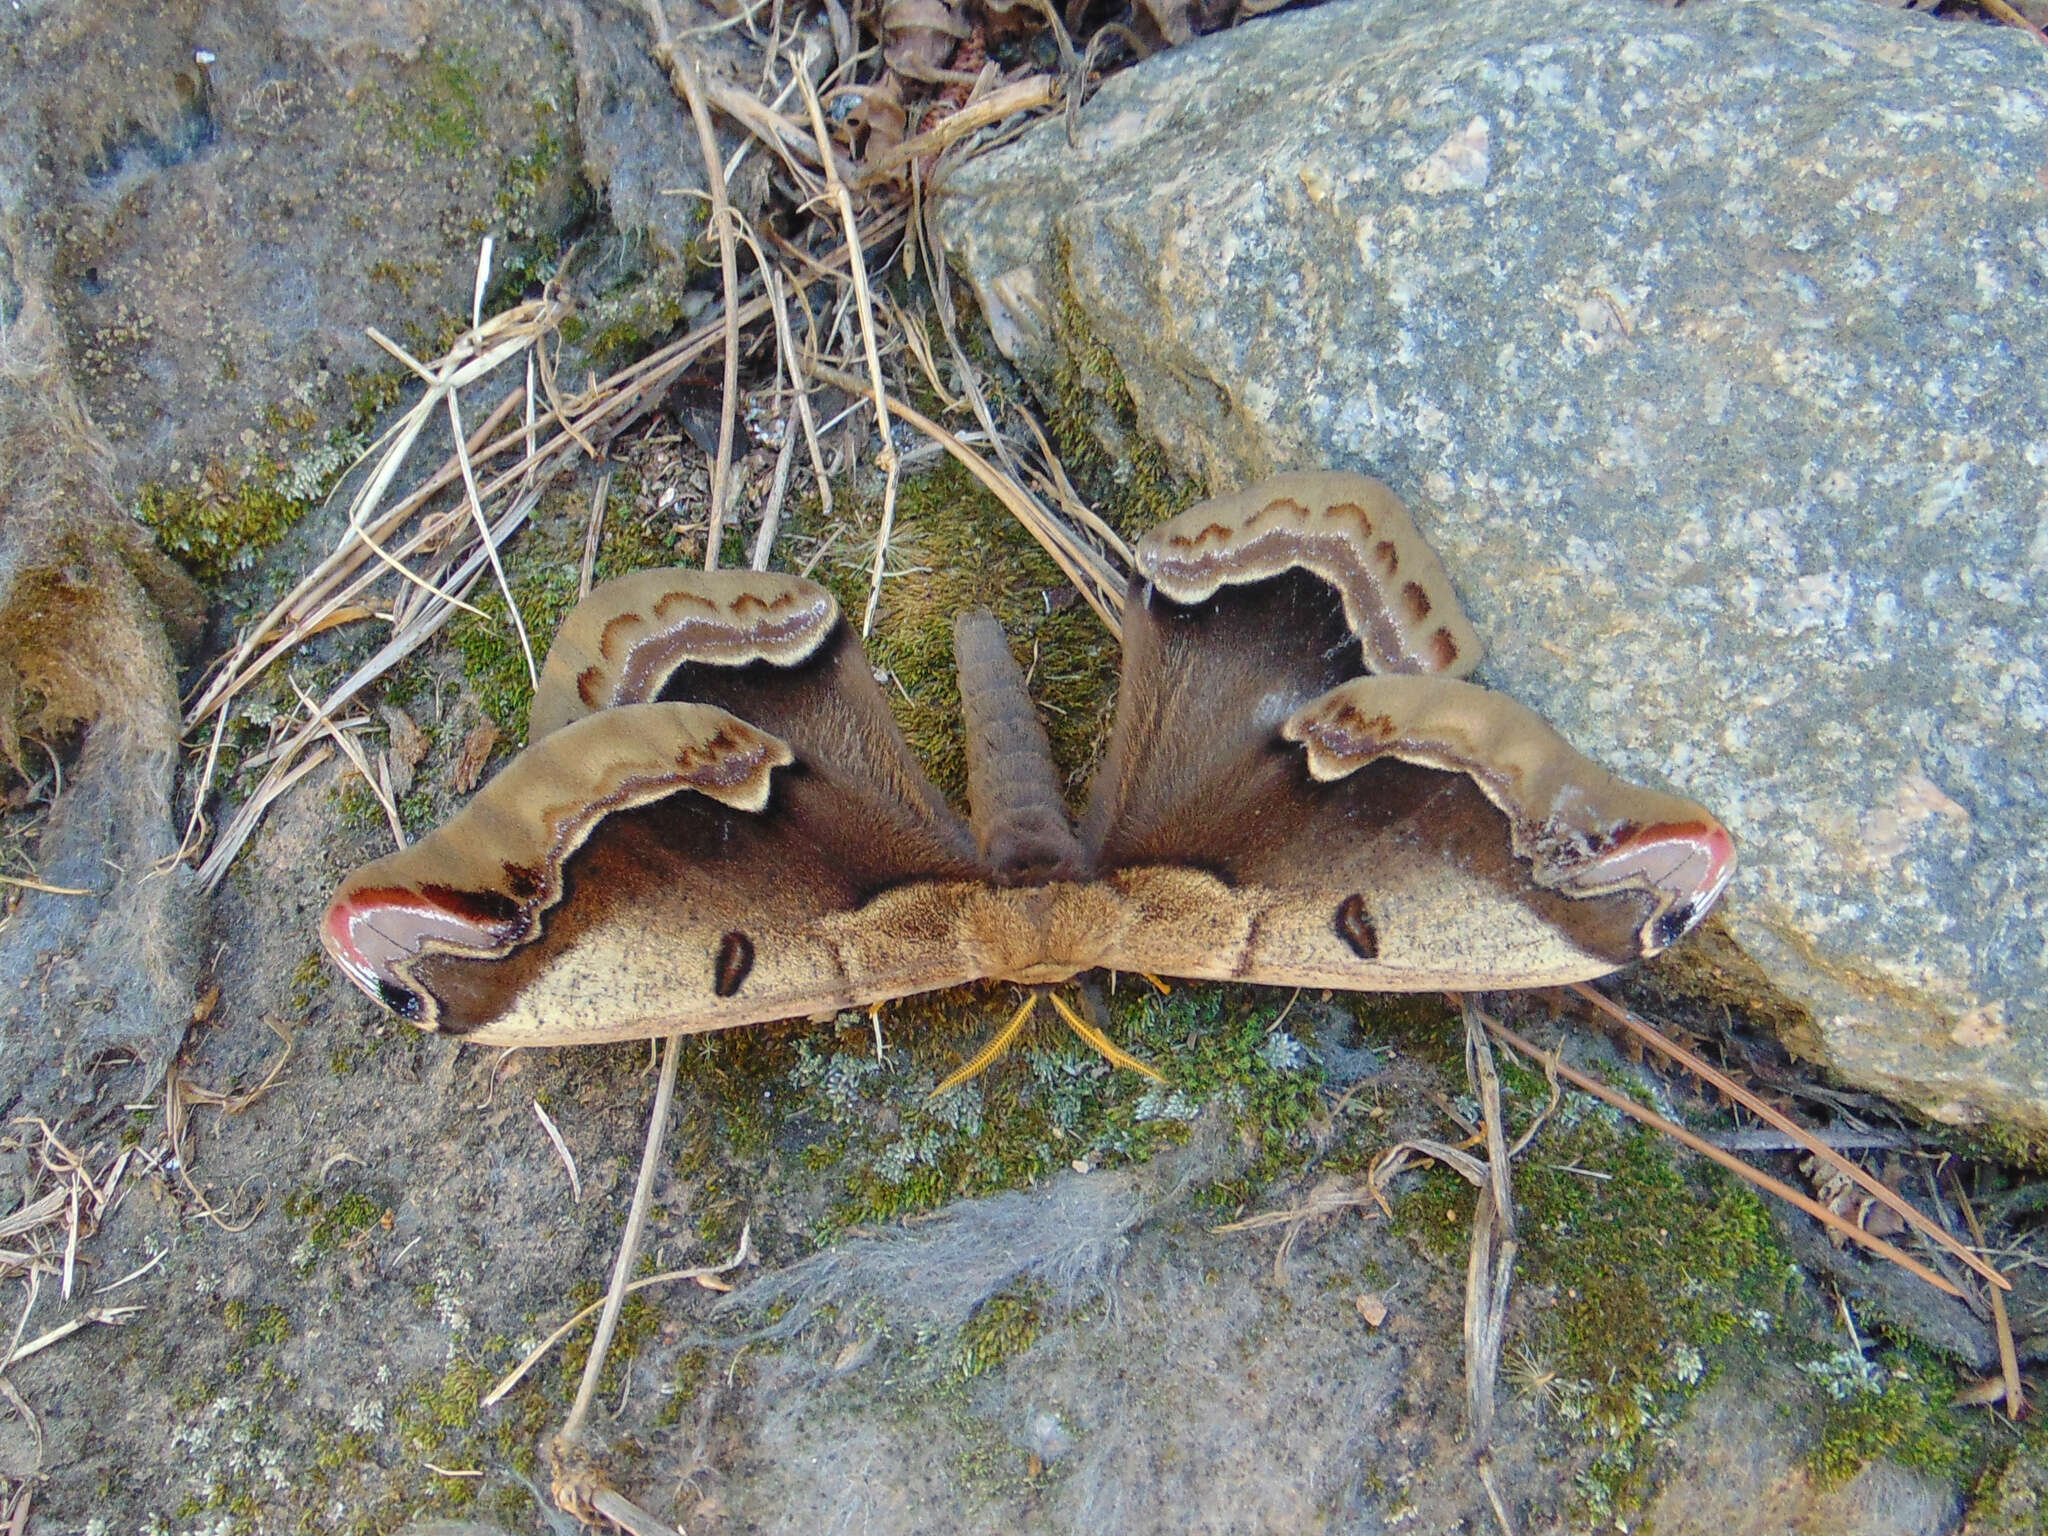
point(1582, 830)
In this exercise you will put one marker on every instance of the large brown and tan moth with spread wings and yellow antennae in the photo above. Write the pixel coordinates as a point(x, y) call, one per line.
point(718, 822)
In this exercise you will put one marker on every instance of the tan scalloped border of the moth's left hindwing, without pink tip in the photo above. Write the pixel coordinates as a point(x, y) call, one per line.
point(624, 642)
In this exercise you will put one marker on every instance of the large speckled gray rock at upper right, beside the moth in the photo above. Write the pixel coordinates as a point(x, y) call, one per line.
point(1709, 347)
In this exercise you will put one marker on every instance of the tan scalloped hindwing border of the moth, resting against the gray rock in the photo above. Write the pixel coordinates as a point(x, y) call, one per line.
point(1351, 531)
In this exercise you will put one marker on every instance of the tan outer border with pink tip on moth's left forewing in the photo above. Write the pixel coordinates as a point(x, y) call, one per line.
point(478, 884)
